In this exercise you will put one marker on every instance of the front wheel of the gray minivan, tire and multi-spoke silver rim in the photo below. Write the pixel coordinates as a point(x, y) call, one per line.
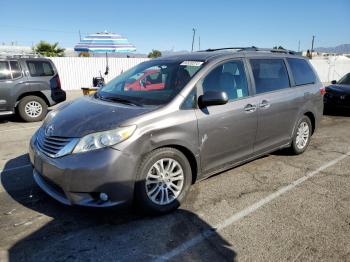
point(164, 177)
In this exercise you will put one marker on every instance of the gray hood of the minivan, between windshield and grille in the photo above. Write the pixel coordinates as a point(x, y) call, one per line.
point(89, 115)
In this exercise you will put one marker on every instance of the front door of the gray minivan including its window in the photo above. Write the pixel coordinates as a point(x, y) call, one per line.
point(227, 132)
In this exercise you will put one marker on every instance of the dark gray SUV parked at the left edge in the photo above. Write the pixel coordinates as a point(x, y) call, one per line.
point(28, 86)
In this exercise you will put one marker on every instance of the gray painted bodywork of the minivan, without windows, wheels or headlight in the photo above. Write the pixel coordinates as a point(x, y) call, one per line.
point(214, 138)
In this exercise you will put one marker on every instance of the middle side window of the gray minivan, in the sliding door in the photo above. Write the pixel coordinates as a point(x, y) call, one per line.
point(269, 75)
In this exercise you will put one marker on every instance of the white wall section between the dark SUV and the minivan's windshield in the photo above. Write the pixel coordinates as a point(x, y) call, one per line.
point(77, 72)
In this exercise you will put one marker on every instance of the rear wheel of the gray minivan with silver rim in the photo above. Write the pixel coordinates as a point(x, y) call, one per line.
point(302, 135)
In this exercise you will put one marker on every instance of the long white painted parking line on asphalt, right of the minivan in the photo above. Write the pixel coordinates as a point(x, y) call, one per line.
point(245, 212)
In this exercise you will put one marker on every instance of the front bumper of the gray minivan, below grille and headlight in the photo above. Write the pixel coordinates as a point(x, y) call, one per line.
point(78, 179)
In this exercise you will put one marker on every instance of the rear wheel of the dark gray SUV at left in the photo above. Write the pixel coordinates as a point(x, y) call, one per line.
point(32, 108)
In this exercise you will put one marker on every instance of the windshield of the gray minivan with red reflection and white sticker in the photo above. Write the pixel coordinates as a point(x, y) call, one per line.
point(151, 83)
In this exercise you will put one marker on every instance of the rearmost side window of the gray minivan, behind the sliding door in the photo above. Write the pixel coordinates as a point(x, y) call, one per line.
point(302, 72)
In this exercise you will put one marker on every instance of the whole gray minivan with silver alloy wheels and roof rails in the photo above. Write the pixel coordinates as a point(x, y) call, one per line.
point(194, 115)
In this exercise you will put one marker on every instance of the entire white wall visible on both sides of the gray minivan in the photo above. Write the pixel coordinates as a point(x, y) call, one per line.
point(77, 72)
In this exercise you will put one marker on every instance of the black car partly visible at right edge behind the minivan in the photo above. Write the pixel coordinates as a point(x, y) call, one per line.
point(338, 94)
